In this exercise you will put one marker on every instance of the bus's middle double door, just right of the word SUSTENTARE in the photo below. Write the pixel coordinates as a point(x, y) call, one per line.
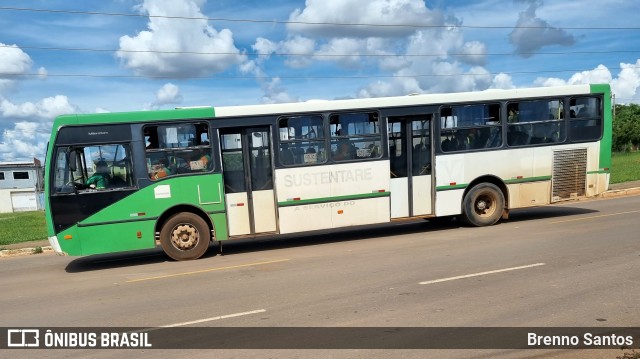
point(410, 157)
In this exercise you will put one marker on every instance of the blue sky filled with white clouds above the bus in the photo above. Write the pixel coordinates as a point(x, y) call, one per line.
point(62, 57)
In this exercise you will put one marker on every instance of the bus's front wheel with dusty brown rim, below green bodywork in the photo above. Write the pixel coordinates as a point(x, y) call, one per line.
point(185, 236)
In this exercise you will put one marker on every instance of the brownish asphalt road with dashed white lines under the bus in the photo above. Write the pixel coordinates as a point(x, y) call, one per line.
point(569, 265)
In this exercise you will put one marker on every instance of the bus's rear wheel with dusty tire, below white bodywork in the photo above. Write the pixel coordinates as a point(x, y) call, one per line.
point(483, 205)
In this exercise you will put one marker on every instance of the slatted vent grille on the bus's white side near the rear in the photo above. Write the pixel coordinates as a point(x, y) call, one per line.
point(569, 174)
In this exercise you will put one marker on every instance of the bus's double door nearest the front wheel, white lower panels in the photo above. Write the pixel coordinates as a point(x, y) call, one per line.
point(248, 179)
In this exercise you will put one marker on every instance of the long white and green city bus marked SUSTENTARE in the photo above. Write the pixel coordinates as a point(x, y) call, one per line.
point(184, 178)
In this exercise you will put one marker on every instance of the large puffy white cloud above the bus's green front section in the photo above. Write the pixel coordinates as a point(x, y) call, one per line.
point(173, 47)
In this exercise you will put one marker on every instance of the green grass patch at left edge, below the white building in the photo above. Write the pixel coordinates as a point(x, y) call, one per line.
point(22, 227)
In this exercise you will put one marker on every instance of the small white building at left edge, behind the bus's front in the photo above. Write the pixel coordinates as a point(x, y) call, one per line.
point(21, 185)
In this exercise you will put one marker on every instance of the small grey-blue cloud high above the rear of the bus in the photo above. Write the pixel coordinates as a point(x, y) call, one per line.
point(533, 33)
